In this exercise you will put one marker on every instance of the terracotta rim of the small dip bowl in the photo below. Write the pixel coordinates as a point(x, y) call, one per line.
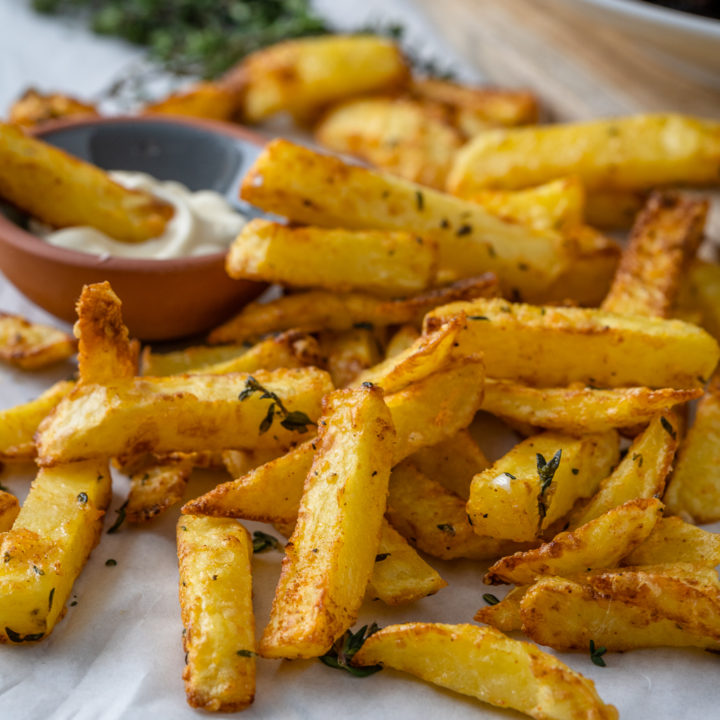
point(22, 240)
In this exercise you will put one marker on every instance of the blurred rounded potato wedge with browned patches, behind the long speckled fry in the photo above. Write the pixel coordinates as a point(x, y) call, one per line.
point(397, 134)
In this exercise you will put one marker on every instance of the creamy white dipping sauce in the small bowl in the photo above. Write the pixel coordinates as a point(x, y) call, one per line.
point(203, 223)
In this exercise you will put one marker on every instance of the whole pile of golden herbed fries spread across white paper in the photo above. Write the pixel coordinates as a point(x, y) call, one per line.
point(344, 409)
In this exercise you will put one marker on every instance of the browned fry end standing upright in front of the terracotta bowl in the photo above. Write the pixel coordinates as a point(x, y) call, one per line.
point(105, 353)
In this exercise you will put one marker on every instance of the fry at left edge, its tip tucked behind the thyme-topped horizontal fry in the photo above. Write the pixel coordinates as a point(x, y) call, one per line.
point(19, 424)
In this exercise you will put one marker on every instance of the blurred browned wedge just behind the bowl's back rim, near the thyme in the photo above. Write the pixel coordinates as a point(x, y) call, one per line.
point(217, 101)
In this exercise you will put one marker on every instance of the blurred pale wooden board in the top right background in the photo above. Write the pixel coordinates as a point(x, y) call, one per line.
point(581, 69)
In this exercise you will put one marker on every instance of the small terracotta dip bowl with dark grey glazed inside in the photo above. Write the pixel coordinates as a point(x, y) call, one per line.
point(162, 299)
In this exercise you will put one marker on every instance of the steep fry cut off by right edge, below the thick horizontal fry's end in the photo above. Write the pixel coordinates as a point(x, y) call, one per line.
point(694, 489)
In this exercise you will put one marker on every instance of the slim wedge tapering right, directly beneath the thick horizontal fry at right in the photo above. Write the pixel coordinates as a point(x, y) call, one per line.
point(580, 409)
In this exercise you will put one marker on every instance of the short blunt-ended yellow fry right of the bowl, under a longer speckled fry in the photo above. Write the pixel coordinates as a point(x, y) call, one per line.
point(380, 262)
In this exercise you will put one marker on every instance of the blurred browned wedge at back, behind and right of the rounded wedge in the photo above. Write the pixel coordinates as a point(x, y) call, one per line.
point(477, 107)
